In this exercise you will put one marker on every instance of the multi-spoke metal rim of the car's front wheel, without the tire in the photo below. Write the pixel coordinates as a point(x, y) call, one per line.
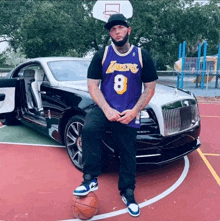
point(74, 143)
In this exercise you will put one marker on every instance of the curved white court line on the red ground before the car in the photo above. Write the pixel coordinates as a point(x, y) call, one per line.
point(150, 201)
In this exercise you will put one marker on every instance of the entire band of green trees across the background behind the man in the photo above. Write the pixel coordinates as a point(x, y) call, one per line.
point(61, 28)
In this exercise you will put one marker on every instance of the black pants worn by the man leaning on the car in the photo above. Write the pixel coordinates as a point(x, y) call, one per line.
point(92, 134)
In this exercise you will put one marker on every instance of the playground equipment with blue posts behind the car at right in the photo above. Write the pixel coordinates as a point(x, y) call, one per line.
point(204, 68)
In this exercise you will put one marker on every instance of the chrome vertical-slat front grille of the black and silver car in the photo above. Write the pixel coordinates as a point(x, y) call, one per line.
point(180, 118)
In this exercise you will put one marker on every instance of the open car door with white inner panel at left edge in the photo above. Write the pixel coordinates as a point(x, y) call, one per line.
point(8, 90)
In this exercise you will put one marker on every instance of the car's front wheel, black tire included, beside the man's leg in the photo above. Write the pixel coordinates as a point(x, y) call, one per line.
point(73, 142)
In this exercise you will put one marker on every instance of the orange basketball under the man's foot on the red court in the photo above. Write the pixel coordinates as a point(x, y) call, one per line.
point(85, 207)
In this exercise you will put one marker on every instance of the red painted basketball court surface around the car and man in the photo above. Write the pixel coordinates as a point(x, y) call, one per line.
point(37, 183)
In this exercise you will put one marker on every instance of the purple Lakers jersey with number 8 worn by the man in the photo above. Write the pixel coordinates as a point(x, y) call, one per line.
point(121, 79)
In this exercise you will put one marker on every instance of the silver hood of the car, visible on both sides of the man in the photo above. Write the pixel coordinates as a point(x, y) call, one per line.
point(163, 94)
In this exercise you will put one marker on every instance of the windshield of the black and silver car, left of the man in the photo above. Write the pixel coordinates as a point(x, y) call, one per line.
point(74, 70)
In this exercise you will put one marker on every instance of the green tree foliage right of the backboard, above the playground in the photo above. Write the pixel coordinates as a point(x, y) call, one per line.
point(168, 23)
